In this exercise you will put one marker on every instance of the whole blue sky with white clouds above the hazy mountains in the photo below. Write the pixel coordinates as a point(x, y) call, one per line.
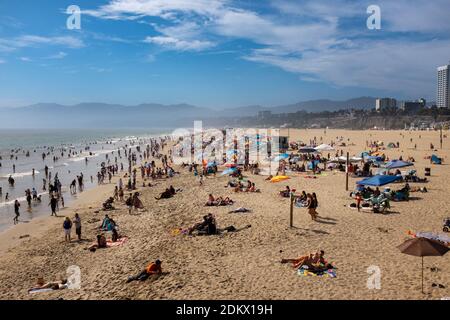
point(219, 53)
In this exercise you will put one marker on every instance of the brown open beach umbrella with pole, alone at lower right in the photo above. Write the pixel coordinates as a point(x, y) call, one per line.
point(423, 247)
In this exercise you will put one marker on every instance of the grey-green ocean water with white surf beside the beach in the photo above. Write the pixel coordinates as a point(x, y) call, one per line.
point(16, 143)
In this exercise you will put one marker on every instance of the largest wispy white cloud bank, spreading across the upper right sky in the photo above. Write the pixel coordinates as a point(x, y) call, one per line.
point(321, 41)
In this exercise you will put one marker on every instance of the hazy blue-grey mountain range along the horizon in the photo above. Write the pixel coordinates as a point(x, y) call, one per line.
point(101, 115)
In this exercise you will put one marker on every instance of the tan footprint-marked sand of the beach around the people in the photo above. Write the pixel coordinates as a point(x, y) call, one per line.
point(245, 264)
